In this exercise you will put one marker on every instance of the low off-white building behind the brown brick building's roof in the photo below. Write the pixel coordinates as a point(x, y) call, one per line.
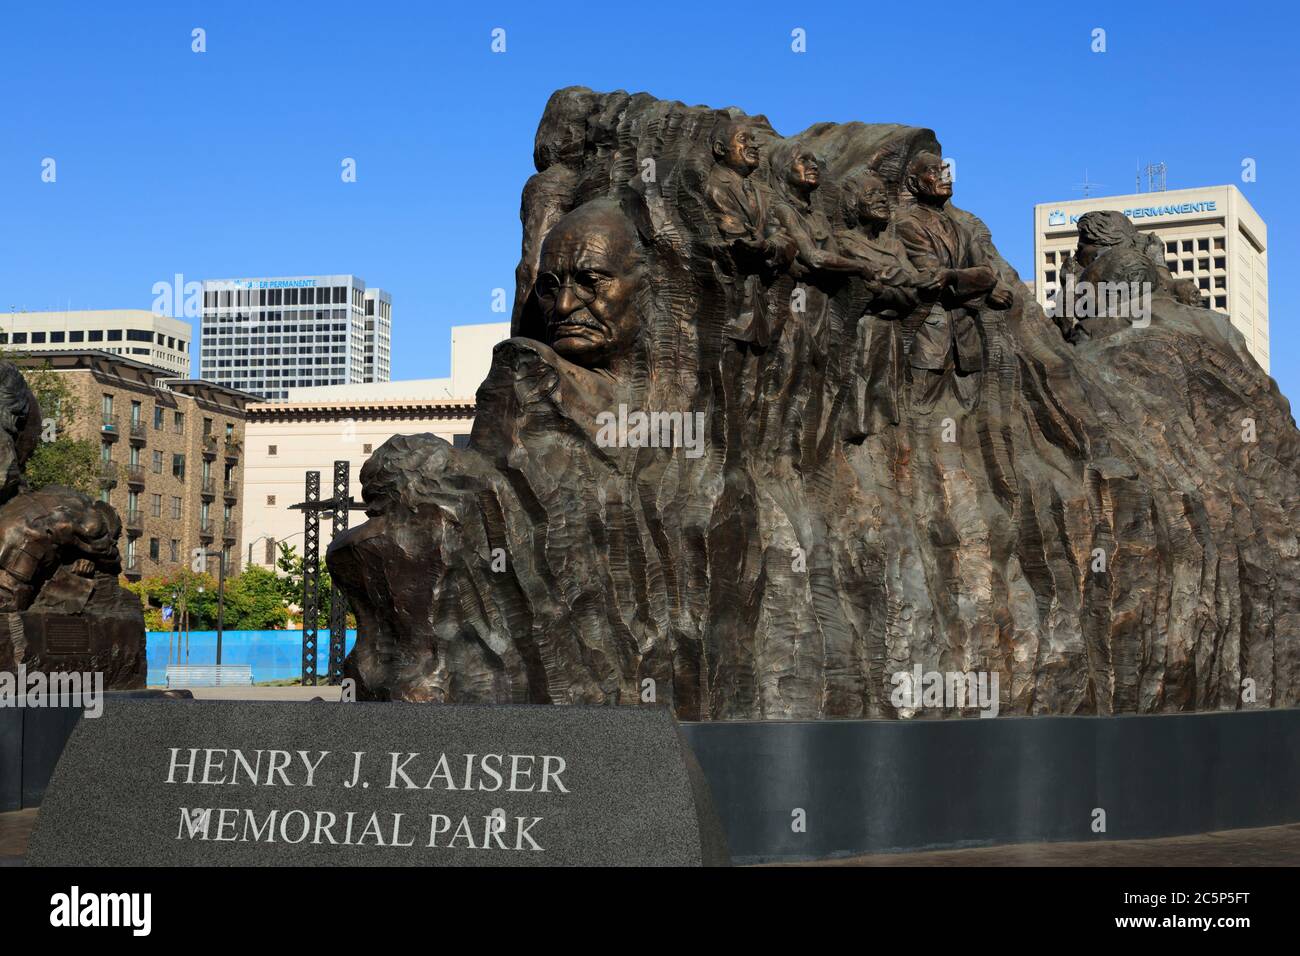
point(133, 334)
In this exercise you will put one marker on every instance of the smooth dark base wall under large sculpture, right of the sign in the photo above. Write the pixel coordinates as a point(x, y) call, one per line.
point(879, 786)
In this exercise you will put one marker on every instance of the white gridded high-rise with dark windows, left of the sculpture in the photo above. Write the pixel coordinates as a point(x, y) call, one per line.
point(271, 335)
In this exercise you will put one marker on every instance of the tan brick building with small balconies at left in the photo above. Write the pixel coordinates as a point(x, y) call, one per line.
point(171, 457)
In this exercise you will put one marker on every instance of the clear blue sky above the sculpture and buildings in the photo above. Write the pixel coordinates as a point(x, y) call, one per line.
point(227, 163)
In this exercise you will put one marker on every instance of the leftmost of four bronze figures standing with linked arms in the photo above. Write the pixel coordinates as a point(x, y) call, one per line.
point(748, 235)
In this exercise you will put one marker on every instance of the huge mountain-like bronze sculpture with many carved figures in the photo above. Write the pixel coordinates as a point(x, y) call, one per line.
point(1084, 521)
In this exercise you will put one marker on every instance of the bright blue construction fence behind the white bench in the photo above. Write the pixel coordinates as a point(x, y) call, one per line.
point(274, 655)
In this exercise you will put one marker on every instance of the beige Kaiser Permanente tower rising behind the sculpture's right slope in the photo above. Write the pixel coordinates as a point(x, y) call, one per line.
point(1212, 237)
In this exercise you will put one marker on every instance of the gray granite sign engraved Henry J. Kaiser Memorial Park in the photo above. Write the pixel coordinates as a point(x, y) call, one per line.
point(218, 784)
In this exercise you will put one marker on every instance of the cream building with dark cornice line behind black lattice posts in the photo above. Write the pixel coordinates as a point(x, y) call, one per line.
point(319, 426)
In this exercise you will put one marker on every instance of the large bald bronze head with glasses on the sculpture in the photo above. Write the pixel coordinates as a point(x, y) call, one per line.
point(590, 276)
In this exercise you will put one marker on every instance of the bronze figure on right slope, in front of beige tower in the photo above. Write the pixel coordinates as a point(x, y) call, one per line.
point(1112, 256)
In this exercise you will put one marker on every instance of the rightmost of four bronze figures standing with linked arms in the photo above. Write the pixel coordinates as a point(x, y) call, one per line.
point(956, 284)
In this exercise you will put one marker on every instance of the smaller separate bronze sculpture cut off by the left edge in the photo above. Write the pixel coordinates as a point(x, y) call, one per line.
point(62, 605)
